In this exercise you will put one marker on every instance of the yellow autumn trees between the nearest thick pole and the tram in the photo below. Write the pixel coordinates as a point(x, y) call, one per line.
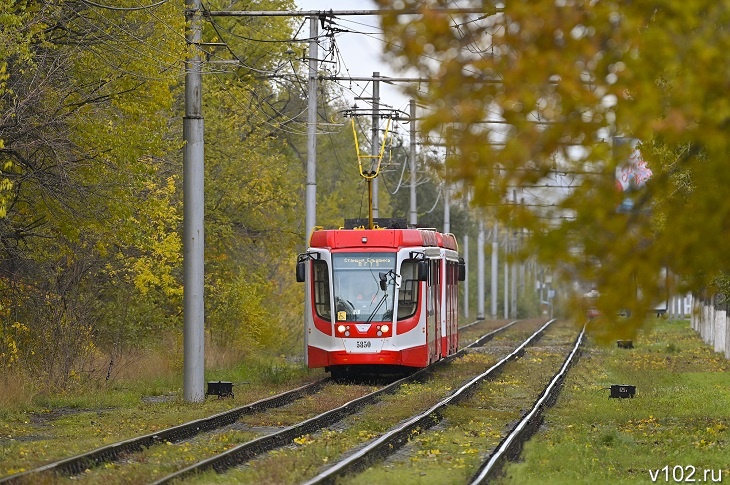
point(252, 181)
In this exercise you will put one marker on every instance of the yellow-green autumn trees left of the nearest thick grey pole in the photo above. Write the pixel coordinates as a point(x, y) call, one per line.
point(91, 226)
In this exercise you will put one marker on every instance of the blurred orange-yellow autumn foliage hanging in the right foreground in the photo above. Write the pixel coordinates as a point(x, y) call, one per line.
point(525, 89)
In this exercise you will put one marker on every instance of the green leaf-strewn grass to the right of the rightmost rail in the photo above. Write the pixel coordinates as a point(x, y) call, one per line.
point(676, 429)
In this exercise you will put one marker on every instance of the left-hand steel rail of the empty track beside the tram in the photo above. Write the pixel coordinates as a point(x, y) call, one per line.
point(389, 442)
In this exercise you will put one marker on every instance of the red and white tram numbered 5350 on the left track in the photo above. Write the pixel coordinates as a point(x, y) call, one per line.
point(380, 300)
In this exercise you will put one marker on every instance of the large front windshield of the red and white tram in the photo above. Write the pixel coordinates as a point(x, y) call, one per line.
point(357, 291)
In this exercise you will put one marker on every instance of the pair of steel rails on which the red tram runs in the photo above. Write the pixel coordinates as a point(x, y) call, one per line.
point(79, 464)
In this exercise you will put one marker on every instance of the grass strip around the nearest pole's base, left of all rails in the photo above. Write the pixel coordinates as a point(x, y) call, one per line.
point(52, 427)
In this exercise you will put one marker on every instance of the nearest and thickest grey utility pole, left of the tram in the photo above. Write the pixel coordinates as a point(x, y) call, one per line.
point(193, 212)
